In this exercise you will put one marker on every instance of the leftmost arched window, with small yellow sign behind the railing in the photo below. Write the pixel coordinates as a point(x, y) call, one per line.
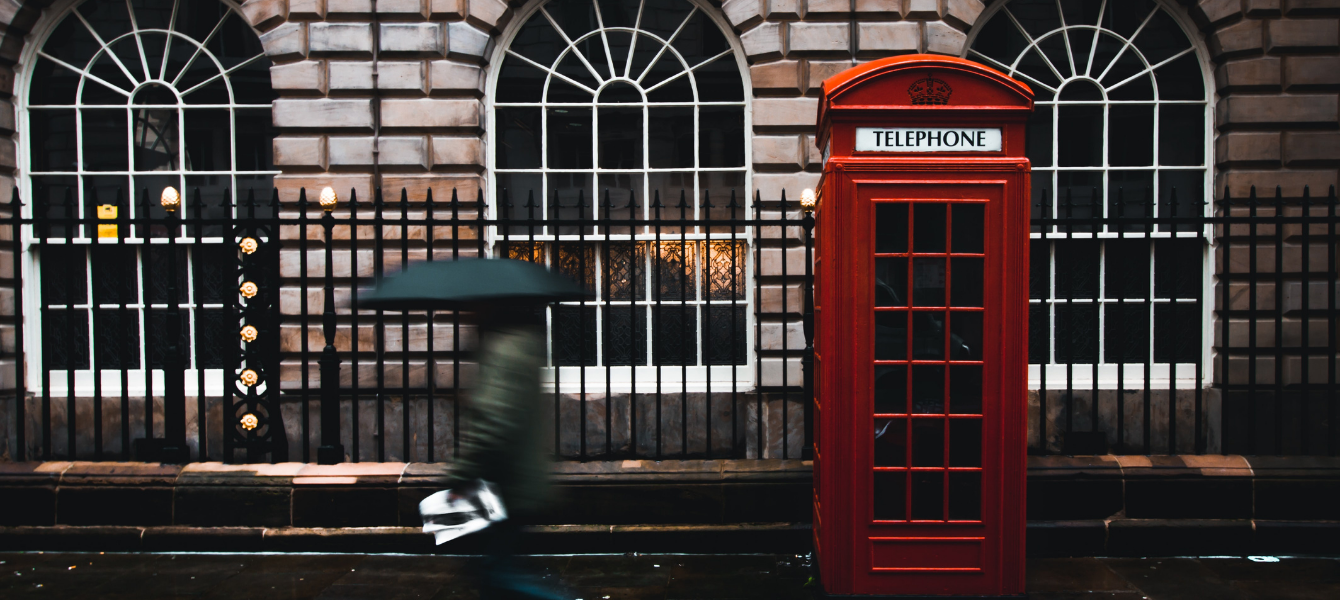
point(129, 98)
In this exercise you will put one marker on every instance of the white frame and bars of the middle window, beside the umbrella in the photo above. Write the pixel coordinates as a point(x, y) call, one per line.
point(720, 378)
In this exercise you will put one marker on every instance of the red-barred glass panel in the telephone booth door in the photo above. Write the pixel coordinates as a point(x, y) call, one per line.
point(931, 270)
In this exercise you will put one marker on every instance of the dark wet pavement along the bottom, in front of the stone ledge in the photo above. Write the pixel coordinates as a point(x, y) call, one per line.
point(141, 577)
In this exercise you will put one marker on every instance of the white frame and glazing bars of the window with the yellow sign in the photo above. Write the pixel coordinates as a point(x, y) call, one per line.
point(137, 378)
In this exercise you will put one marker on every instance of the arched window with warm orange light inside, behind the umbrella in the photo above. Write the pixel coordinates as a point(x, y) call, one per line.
point(610, 112)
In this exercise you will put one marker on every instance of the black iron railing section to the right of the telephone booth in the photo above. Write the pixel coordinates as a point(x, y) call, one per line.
point(1170, 329)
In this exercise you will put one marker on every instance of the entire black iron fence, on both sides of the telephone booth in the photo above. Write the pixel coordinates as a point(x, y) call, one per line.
point(226, 330)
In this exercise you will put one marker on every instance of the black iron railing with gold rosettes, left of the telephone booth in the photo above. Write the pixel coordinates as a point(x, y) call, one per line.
point(253, 349)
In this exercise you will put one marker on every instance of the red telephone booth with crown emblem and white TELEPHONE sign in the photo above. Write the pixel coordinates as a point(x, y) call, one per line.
point(921, 330)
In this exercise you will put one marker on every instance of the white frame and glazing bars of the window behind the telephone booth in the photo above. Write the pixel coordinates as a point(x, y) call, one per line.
point(1081, 376)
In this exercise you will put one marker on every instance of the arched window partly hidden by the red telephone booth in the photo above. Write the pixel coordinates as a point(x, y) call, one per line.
point(1121, 131)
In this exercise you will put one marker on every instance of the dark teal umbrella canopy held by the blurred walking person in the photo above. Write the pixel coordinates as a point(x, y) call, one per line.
point(454, 285)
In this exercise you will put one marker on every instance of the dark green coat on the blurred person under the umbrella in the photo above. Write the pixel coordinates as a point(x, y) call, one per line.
point(503, 428)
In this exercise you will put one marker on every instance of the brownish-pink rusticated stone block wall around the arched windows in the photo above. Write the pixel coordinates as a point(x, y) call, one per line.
point(399, 94)
